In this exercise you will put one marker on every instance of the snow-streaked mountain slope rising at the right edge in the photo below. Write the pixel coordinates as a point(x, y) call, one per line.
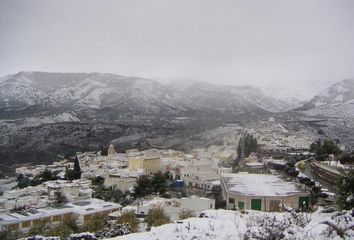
point(335, 101)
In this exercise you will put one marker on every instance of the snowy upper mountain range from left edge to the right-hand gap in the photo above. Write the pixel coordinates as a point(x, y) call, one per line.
point(41, 93)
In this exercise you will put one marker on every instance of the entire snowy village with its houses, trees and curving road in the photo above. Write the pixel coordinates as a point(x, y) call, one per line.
point(262, 167)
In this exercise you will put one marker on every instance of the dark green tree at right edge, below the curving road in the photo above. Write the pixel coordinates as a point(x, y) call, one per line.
point(346, 190)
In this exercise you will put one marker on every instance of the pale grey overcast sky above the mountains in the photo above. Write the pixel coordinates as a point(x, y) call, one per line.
point(230, 42)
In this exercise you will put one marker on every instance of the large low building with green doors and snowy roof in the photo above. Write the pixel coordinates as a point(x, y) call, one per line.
point(262, 192)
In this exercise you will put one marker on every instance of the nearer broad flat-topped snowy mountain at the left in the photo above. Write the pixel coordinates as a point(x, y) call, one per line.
point(84, 91)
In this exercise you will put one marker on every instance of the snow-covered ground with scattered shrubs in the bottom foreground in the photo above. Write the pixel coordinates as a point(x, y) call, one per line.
point(224, 224)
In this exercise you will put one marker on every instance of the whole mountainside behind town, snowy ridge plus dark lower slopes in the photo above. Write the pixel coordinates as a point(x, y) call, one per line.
point(43, 115)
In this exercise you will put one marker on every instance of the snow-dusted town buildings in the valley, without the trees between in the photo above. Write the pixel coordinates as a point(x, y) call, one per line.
point(201, 169)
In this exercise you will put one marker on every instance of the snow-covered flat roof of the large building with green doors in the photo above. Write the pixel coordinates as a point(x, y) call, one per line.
point(259, 185)
